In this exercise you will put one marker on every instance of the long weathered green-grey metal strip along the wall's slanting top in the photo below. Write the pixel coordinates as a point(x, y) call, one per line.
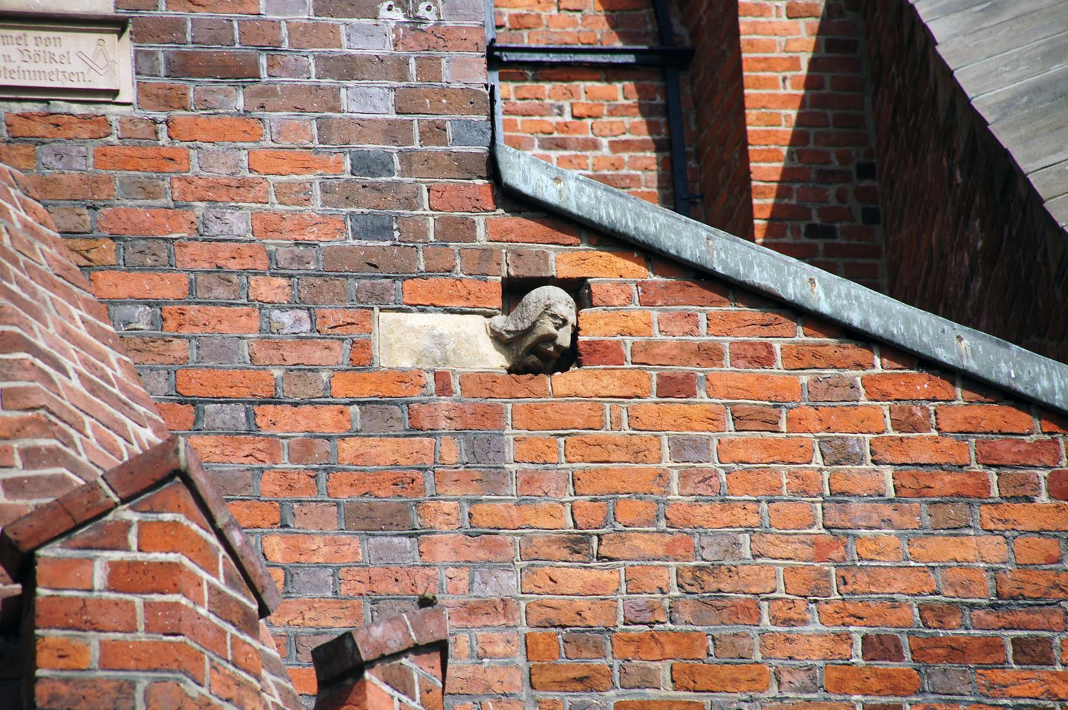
point(614, 212)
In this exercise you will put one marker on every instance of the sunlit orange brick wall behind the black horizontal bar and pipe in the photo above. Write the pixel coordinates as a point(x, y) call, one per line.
point(607, 124)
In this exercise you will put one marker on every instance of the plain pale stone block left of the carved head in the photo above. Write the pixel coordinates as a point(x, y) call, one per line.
point(438, 340)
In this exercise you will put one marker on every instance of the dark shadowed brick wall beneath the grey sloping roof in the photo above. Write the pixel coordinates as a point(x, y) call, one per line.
point(967, 236)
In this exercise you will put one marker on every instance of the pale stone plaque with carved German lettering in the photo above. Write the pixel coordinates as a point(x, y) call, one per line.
point(54, 59)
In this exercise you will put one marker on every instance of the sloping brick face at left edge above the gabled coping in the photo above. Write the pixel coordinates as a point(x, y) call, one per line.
point(71, 405)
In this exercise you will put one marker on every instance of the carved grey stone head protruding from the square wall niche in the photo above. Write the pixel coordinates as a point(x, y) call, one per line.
point(539, 332)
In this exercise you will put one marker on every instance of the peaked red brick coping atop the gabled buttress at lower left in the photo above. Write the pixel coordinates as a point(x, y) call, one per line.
point(170, 460)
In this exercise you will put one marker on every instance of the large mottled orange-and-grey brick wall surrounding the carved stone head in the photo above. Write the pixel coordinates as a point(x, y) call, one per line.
point(724, 497)
